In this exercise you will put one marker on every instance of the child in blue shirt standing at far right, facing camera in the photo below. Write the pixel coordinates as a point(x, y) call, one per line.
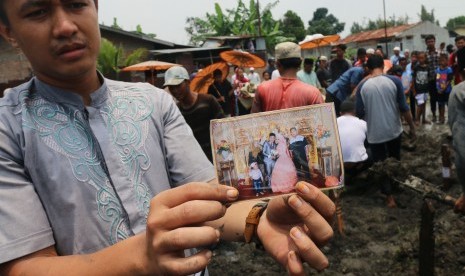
point(444, 76)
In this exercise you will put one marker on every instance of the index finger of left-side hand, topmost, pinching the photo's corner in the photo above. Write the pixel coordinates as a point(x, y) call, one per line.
point(194, 191)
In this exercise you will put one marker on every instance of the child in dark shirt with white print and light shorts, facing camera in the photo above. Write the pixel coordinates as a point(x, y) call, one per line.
point(420, 87)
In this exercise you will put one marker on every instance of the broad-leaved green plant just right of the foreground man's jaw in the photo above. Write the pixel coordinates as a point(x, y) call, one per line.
point(112, 58)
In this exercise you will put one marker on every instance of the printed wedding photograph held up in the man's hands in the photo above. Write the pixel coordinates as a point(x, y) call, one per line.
point(266, 154)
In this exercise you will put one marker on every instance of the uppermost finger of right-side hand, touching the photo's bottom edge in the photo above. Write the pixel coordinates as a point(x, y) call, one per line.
point(323, 204)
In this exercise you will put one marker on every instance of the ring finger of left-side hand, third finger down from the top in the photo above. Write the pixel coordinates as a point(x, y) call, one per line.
point(188, 237)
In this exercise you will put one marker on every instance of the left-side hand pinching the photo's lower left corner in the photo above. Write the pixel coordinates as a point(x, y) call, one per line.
point(174, 224)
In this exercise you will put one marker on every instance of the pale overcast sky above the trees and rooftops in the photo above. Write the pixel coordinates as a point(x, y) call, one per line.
point(167, 19)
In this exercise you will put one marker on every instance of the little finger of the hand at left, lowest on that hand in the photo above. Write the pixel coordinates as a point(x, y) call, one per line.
point(187, 266)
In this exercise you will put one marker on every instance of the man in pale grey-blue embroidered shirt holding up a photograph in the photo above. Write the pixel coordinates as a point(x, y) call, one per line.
point(95, 179)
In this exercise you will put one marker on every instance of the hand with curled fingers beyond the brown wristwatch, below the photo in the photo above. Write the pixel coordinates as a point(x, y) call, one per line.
point(292, 228)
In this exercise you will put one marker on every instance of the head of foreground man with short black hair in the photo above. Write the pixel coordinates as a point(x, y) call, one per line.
point(61, 39)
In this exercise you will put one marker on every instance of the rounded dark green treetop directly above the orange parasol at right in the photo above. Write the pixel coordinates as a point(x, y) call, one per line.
point(324, 23)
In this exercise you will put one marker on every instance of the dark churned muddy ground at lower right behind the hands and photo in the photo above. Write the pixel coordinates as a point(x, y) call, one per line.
point(378, 240)
